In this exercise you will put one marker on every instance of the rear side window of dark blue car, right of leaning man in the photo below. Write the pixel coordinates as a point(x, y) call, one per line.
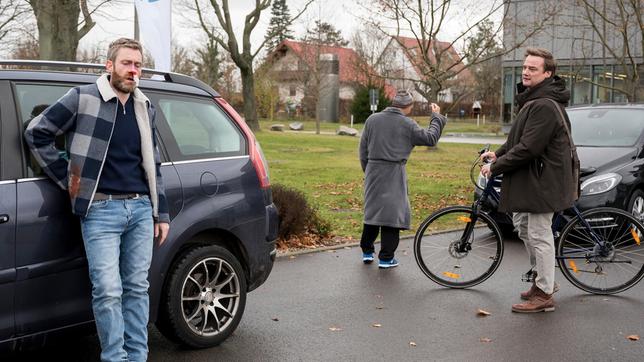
point(201, 129)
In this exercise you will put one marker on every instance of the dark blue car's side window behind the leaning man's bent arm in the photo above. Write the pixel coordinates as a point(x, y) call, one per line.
point(32, 100)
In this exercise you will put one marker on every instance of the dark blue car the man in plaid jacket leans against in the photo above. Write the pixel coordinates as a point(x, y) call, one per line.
point(223, 220)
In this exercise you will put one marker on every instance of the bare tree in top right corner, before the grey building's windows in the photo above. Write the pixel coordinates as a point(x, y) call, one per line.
point(619, 29)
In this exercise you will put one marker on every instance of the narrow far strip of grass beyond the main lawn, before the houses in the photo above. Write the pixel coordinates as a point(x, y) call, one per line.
point(454, 125)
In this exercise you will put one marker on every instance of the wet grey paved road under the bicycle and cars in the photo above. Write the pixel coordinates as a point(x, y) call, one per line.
point(291, 318)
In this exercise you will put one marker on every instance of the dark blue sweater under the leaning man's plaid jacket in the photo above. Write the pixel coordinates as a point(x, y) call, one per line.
point(123, 169)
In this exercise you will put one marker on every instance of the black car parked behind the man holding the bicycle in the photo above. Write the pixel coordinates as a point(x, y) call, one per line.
point(610, 145)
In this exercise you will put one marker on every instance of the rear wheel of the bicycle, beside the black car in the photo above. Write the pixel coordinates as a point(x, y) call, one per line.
point(612, 270)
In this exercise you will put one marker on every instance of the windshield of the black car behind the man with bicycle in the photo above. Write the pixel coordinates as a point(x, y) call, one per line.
point(606, 127)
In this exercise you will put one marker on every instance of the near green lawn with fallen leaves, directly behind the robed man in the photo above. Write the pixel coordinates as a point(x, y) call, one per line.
point(327, 170)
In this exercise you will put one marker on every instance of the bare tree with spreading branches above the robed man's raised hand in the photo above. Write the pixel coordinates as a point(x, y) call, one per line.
point(437, 63)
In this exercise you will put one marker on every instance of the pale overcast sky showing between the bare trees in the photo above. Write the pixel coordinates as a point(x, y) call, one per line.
point(117, 20)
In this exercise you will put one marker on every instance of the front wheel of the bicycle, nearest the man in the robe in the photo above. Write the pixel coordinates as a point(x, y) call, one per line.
point(439, 251)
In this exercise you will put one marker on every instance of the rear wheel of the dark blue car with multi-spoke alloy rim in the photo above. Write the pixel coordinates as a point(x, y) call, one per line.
point(204, 299)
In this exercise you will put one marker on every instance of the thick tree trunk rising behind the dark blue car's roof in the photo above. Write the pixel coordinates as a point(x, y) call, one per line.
point(57, 28)
